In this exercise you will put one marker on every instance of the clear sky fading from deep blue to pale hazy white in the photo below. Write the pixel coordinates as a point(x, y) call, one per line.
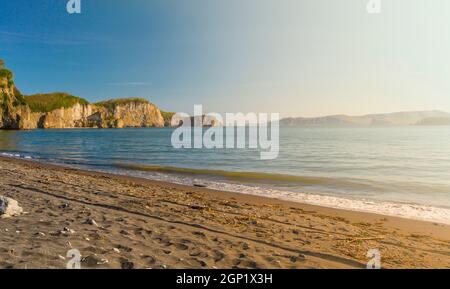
point(294, 57)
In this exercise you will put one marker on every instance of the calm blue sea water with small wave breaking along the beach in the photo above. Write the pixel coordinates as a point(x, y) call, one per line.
point(396, 171)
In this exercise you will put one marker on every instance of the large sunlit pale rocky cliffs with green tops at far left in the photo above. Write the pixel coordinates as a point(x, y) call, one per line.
point(61, 110)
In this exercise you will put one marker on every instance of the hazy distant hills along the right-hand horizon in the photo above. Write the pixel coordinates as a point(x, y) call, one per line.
point(434, 117)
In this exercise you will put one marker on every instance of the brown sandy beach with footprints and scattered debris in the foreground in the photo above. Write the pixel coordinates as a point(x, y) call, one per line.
point(124, 222)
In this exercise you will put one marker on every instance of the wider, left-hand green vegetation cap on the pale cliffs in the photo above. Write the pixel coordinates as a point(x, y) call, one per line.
point(51, 101)
